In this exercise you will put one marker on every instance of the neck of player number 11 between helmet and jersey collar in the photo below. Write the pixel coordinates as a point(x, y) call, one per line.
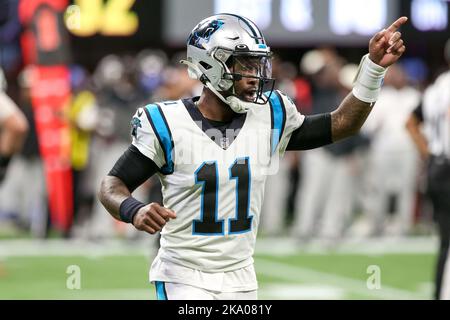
point(213, 108)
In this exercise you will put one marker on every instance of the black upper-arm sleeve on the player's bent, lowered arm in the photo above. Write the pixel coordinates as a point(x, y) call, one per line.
point(133, 168)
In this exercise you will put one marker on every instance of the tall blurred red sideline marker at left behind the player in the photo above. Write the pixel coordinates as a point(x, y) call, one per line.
point(44, 46)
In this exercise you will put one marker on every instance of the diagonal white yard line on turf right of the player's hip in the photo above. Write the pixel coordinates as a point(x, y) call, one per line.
point(289, 273)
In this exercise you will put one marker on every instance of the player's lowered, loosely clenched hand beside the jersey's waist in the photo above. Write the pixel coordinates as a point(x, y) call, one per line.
point(152, 218)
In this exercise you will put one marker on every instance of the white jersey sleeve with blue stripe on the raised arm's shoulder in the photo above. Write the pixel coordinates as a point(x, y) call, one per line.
point(285, 119)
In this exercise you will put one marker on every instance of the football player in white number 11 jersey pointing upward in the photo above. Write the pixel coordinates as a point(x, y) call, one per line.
point(212, 154)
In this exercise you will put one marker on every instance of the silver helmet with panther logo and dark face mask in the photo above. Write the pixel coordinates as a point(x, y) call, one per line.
point(216, 44)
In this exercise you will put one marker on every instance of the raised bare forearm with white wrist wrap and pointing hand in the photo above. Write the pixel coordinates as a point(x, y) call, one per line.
point(385, 48)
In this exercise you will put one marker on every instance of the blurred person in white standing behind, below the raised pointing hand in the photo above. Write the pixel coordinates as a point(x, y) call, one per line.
point(393, 161)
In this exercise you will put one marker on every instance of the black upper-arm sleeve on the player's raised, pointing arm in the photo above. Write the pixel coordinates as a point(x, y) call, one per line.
point(314, 132)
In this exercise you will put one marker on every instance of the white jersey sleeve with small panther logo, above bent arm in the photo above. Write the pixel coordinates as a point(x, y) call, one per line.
point(145, 139)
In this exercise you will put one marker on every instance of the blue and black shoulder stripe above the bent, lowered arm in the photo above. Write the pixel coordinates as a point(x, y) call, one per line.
point(162, 131)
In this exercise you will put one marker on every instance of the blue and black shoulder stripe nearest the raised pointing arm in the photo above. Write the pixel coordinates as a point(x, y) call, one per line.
point(278, 119)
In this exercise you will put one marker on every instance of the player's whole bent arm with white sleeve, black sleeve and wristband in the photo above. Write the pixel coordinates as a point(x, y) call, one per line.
point(133, 168)
